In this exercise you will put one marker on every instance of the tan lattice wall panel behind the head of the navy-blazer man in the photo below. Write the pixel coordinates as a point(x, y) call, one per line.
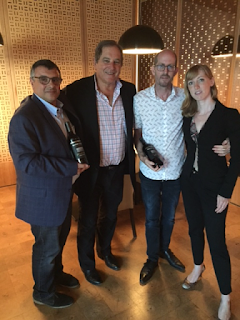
point(46, 29)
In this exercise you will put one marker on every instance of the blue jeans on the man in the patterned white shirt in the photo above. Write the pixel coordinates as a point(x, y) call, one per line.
point(160, 199)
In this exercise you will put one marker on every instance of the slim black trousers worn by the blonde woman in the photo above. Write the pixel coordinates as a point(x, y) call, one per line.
point(200, 201)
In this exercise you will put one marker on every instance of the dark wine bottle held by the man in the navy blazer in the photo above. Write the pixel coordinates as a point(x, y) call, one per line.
point(76, 145)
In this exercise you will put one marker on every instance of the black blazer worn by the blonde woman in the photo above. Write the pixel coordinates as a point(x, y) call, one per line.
point(213, 170)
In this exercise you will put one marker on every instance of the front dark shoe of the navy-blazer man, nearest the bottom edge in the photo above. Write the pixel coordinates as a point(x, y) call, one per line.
point(58, 301)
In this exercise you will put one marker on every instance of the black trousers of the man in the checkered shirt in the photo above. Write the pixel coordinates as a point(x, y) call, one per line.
point(98, 215)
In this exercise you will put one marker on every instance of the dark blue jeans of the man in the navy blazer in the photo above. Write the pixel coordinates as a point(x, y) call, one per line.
point(47, 257)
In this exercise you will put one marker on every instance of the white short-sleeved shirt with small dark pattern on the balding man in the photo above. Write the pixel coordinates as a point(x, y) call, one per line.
point(161, 124)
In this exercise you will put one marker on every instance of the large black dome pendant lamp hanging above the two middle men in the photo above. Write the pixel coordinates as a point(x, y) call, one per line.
point(141, 39)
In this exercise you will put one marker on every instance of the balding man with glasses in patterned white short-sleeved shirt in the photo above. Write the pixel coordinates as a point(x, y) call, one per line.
point(158, 119)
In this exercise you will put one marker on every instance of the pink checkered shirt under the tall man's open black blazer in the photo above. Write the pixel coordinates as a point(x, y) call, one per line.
point(112, 127)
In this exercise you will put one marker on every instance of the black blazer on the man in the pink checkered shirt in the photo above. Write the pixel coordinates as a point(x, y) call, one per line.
point(82, 96)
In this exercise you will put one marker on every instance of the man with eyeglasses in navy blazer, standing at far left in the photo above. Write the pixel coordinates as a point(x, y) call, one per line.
point(45, 169)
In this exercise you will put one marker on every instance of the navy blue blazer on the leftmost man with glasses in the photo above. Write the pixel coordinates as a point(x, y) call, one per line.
point(43, 162)
